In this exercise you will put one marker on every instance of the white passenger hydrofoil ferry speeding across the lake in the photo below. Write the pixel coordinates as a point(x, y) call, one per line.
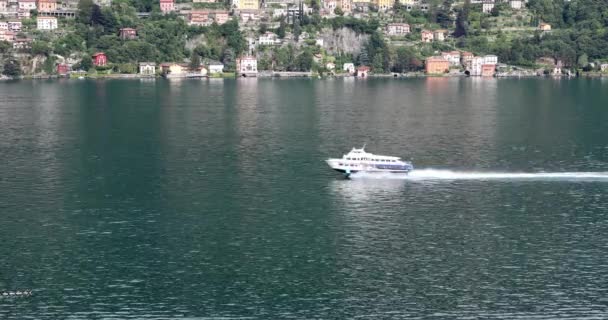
point(357, 160)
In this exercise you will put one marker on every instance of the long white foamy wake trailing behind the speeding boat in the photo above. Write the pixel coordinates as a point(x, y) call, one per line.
point(437, 174)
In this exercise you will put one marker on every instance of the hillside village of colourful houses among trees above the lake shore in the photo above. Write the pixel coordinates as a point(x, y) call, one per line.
point(203, 38)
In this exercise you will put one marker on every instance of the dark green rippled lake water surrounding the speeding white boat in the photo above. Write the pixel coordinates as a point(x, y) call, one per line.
point(210, 199)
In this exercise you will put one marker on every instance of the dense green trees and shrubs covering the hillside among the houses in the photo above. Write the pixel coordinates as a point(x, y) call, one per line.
point(579, 37)
